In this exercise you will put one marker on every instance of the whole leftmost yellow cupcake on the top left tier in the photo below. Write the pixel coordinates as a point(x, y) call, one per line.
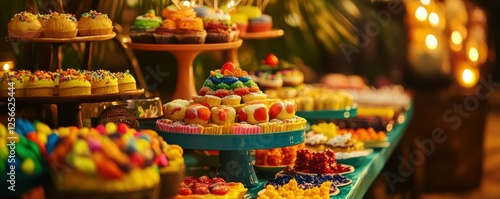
point(24, 25)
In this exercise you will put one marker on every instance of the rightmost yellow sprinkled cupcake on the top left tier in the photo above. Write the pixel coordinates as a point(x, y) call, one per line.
point(94, 23)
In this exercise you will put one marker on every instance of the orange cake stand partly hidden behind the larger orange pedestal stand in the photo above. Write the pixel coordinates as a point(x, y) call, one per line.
point(232, 54)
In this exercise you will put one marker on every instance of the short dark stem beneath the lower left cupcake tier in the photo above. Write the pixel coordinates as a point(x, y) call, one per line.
point(69, 115)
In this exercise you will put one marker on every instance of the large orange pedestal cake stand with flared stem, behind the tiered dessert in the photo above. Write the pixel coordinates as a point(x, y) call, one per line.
point(185, 55)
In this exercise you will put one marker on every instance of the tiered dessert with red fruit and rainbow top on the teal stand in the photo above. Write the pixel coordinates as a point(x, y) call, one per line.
point(230, 103)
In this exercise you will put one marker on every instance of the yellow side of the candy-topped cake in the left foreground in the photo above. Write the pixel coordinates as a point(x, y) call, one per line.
point(137, 179)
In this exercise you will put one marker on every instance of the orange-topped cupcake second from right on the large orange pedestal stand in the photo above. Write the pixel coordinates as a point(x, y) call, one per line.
point(190, 31)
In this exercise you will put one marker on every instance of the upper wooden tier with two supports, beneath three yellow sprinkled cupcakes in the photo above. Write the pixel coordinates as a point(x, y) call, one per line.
point(55, 46)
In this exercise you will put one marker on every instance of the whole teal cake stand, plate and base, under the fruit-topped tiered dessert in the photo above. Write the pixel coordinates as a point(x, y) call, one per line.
point(235, 161)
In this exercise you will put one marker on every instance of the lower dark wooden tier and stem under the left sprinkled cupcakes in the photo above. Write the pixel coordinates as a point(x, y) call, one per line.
point(68, 107)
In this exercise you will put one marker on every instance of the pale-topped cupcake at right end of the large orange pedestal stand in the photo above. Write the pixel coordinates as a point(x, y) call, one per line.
point(218, 28)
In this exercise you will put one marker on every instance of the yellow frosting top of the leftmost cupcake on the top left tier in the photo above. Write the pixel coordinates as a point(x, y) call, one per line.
point(24, 21)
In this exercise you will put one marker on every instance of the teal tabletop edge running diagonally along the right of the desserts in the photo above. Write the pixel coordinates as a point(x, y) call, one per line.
point(365, 174)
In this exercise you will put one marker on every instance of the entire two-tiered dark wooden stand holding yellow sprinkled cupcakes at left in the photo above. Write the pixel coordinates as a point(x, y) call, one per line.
point(68, 107)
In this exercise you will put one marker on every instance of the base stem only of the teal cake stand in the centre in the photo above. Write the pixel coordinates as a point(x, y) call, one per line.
point(236, 166)
